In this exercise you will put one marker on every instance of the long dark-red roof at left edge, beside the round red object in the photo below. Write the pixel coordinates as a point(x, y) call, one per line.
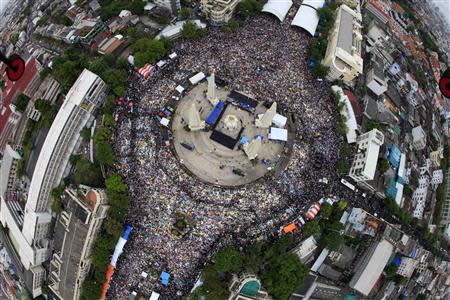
point(14, 88)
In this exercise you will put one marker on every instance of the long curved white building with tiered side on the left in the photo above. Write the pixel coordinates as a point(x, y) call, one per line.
point(29, 224)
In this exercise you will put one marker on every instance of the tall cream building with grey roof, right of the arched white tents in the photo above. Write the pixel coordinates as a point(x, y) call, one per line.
point(343, 54)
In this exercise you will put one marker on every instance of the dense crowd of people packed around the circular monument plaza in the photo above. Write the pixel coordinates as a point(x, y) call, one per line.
point(267, 60)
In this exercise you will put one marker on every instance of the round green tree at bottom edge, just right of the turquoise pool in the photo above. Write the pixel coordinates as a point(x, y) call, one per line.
point(283, 275)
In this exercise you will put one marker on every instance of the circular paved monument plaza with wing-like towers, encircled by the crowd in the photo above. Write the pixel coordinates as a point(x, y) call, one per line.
point(228, 138)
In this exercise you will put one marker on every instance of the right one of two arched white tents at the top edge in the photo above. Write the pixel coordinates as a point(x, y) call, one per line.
point(307, 17)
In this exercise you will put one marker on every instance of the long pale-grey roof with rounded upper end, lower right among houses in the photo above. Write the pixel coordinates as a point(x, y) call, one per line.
point(370, 267)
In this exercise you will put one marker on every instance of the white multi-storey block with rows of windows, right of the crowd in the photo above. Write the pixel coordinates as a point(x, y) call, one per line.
point(366, 158)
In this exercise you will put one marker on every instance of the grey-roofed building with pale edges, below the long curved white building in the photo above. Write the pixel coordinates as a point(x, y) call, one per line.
point(75, 232)
